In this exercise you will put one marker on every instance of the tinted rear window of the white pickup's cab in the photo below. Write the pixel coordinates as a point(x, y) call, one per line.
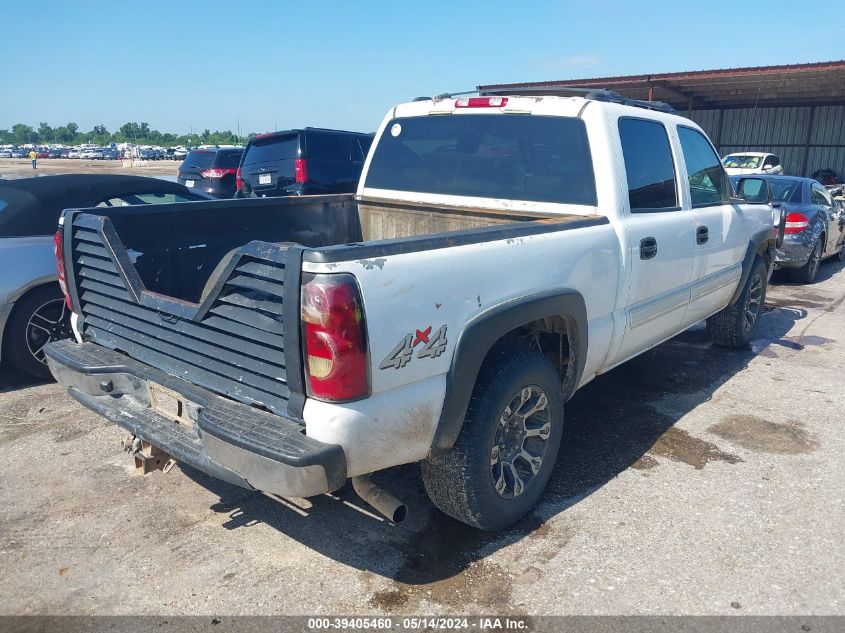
point(513, 157)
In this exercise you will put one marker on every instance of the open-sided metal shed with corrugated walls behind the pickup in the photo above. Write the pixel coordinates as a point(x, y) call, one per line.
point(795, 111)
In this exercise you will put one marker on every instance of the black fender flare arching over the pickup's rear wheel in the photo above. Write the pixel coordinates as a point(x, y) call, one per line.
point(482, 332)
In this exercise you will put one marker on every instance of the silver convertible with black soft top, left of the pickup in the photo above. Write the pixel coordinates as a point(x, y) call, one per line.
point(32, 308)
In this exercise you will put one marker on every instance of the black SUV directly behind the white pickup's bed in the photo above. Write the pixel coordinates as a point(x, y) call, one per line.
point(302, 162)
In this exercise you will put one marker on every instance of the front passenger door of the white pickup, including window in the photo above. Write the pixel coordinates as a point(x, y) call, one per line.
point(721, 233)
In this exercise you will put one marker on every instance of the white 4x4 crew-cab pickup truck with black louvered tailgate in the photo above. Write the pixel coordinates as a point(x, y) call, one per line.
point(501, 252)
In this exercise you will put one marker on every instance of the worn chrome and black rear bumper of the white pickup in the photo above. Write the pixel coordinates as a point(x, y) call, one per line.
point(227, 440)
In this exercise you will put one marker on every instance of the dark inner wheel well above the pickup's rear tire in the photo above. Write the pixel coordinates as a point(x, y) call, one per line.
point(555, 337)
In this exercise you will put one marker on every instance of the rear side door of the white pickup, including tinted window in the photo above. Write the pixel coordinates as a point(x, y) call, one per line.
point(660, 235)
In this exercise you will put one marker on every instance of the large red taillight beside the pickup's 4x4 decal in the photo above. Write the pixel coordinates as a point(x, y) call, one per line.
point(334, 338)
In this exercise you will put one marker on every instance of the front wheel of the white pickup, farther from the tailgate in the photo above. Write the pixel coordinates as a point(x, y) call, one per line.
point(736, 325)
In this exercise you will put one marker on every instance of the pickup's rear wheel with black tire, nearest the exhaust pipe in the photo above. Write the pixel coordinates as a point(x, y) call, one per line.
point(463, 481)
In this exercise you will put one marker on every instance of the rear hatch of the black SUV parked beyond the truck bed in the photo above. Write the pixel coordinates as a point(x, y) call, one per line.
point(268, 165)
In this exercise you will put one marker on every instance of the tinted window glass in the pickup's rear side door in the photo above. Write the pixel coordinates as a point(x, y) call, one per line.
point(648, 165)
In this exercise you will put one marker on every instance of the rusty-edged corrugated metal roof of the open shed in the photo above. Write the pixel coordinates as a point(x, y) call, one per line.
point(815, 83)
